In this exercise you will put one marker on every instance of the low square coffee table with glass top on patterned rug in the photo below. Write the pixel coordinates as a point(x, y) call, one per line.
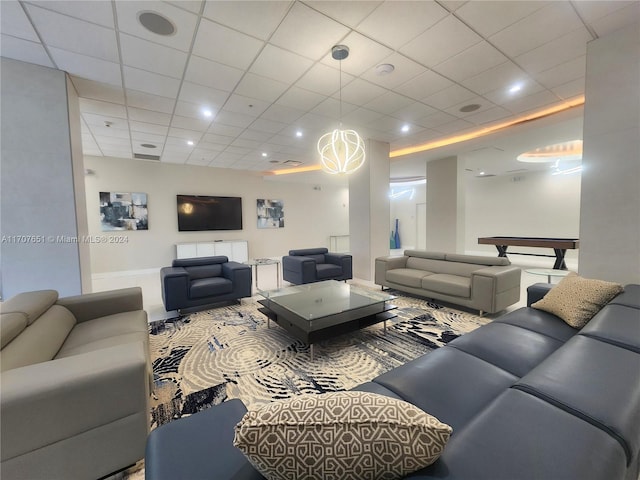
point(317, 311)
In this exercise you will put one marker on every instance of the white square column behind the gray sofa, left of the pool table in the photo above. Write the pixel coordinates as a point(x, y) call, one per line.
point(445, 206)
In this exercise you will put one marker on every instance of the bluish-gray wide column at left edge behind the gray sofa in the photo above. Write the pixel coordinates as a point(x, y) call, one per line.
point(43, 208)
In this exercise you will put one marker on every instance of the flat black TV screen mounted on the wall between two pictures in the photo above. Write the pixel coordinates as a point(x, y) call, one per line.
point(199, 212)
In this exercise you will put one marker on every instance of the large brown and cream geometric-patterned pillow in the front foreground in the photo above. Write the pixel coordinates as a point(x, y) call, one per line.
point(340, 436)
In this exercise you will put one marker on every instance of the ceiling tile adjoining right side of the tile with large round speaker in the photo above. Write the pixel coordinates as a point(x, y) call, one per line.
point(224, 45)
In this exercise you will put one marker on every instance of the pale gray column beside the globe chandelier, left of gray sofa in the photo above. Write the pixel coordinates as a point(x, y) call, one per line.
point(369, 210)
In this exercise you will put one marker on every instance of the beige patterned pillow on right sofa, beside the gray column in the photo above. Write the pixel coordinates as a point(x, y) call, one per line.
point(576, 299)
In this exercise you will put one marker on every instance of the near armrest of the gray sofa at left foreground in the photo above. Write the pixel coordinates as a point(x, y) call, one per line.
point(48, 402)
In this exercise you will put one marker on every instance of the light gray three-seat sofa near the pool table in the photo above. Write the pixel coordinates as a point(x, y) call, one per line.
point(487, 284)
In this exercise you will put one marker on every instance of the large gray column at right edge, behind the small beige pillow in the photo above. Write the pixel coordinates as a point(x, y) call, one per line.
point(610, 190)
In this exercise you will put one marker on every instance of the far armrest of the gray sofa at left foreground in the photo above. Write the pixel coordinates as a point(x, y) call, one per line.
point(100, 304)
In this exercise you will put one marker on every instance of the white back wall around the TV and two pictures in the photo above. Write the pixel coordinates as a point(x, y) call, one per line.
point(310, 215)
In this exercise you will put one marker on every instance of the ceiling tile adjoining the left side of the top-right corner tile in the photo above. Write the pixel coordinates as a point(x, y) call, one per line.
point(542, 26)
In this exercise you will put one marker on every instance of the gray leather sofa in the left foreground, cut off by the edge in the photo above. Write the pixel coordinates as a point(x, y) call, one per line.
point(74, 398)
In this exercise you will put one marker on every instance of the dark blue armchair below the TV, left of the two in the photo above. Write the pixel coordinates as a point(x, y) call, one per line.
point(190, 284)
